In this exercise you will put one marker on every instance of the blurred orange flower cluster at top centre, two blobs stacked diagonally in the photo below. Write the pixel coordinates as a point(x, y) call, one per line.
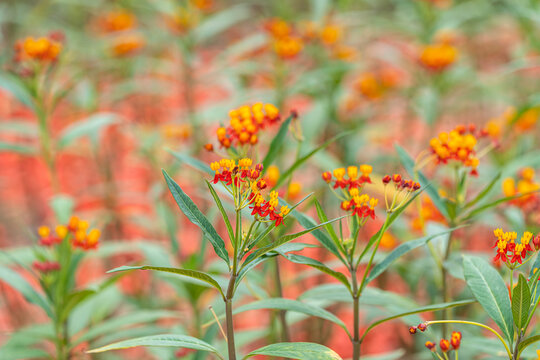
point(286, 44)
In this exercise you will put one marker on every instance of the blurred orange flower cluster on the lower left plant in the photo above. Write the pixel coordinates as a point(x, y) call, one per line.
point(76, 231)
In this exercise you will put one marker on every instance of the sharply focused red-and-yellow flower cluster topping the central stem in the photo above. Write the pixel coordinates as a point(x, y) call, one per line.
point(244, 181)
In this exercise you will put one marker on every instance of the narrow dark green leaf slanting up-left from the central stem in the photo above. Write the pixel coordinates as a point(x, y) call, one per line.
point(194, 215)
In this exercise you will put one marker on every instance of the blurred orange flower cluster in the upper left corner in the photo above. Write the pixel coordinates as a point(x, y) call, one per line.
point(40, 49)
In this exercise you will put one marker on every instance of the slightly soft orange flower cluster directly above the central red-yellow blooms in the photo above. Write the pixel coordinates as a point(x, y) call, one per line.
point(245, 123)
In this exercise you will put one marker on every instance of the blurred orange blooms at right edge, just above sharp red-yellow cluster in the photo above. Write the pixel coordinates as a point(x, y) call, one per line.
point(526, 186)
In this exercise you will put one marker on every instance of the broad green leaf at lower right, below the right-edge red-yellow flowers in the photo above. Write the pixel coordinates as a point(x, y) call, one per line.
point(489, 289)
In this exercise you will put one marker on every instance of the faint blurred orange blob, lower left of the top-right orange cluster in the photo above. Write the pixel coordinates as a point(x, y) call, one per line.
point(373, 85)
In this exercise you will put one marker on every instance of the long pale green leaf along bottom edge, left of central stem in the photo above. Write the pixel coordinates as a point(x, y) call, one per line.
point(166, 340)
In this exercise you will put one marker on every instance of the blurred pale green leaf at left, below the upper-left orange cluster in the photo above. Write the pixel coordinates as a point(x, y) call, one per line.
point(89, 126)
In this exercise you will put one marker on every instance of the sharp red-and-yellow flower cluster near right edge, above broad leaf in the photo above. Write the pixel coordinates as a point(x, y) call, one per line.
point(510, 252)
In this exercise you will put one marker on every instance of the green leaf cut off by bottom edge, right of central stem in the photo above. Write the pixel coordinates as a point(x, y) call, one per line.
point(297, 350)
